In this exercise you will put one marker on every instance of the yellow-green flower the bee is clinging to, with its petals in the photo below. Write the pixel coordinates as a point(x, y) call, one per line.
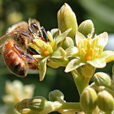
point(50, 51)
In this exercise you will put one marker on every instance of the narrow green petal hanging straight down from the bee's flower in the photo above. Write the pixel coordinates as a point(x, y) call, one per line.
point(42, 68)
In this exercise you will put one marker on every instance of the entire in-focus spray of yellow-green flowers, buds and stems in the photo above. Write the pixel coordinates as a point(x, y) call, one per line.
point(80, 51)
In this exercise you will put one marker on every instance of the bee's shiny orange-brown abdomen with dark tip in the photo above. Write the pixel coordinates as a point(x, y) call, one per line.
point(15, 62)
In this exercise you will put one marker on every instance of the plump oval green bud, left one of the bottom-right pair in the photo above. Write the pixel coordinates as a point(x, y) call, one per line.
point(88, 99)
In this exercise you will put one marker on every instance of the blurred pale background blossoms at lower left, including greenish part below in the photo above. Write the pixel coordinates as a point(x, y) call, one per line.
point(15, 92)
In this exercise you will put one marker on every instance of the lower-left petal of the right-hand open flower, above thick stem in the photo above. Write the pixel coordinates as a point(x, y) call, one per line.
point(73, 64)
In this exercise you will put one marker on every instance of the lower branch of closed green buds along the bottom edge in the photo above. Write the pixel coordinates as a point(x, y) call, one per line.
point(96, 98)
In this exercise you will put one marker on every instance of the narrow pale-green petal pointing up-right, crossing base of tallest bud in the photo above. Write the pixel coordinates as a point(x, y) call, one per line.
point(61, 37)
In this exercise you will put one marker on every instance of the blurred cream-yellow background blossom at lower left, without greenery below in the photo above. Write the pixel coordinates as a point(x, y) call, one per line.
point(16, 91)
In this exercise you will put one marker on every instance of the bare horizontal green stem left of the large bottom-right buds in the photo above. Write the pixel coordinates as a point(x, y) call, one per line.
point(70, 105)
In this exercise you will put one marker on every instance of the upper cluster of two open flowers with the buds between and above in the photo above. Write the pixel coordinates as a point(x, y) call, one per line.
point(60, 49)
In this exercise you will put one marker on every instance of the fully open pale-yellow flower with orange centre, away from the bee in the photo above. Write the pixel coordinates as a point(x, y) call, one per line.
point(90, 51)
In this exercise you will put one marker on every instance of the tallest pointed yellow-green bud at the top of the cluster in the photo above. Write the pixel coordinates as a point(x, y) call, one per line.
point(67, 19)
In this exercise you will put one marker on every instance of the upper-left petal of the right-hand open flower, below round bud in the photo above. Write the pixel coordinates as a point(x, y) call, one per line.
point(80, 39)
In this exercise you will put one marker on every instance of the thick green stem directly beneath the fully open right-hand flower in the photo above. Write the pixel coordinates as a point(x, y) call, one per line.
point(80, 81)
